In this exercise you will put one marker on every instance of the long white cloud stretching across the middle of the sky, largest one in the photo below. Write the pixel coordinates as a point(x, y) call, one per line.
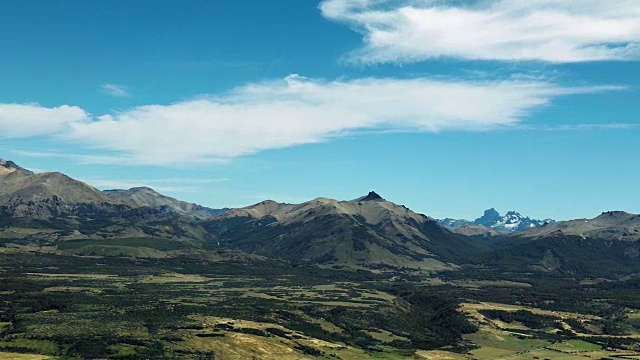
point(299, 111)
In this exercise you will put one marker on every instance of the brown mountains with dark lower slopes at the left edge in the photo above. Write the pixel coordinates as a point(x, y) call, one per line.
point(66, 208)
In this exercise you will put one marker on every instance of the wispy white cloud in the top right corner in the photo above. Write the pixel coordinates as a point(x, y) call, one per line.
point(560, 31)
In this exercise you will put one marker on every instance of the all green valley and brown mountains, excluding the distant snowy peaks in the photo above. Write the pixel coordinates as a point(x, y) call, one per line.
point(90, 276)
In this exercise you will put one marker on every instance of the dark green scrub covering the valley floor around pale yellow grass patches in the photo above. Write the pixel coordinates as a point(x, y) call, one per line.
point(134, 308)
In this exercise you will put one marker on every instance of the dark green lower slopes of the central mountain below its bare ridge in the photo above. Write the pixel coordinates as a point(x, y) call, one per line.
point(334, 239)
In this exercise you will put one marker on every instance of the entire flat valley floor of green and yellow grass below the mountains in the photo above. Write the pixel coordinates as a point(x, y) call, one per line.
point(69, 307)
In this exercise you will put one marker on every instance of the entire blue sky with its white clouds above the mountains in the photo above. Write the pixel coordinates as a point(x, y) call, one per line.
point(447, 107)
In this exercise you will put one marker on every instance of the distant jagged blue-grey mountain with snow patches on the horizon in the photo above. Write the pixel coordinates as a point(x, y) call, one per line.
point(512, 221)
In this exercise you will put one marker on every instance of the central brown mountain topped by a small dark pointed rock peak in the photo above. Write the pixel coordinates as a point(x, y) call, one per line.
point(367, 231)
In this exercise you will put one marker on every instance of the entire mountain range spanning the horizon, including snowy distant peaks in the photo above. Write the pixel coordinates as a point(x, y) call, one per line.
point(54, 212)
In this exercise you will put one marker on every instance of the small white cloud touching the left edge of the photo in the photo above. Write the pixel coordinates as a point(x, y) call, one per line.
point(28, 120)
